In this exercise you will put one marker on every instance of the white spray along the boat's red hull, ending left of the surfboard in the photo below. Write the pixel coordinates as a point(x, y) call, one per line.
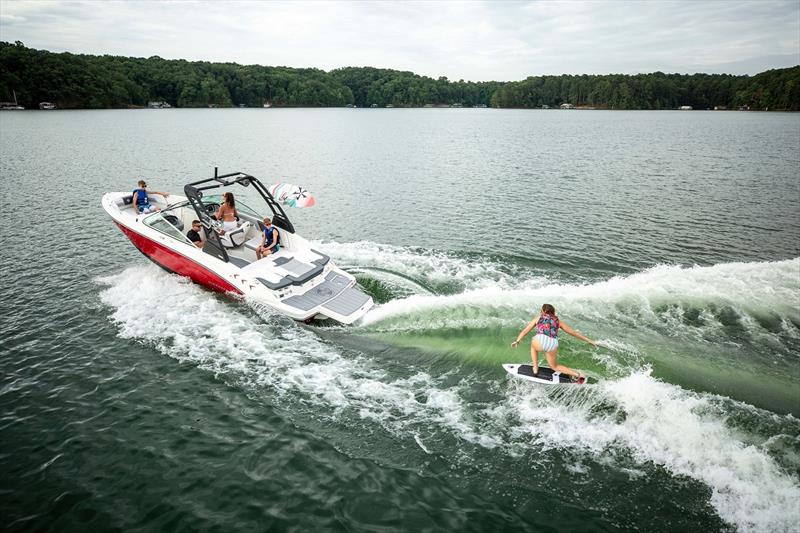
point(188, 323)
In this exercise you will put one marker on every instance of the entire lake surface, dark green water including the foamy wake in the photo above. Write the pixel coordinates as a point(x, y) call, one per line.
point(134, 400)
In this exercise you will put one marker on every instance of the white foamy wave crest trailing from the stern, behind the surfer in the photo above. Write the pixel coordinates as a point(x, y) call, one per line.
point(660, 295)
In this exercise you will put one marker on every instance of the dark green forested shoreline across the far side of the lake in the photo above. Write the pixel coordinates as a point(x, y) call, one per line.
point(78, 81)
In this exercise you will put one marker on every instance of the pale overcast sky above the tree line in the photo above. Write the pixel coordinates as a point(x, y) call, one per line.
point(471, 40)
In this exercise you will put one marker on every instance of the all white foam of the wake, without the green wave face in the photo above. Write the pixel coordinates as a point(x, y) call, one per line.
point(748, 457)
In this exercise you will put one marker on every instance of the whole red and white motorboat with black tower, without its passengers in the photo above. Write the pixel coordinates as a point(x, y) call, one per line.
point(297, 281)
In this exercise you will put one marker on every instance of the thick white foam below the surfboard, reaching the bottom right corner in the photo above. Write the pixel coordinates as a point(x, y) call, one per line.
point(674, 428)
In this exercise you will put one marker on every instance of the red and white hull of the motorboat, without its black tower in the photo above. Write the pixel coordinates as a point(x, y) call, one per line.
point(297, 281)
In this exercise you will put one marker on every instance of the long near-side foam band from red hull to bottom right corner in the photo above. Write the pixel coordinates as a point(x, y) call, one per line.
point(662, 424)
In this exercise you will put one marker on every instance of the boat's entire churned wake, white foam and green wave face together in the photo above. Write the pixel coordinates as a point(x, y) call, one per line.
point(642, 414)
